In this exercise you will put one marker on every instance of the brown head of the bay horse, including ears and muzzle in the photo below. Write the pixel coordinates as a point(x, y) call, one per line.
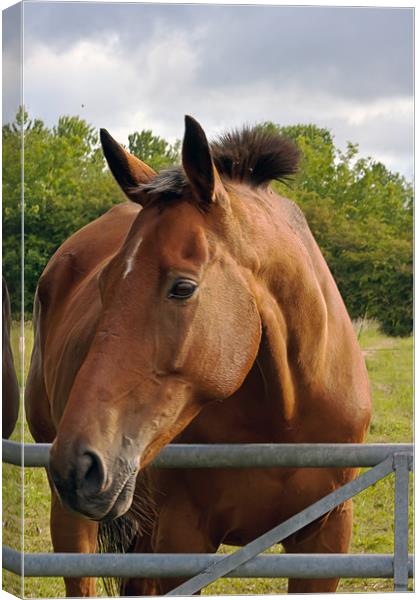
point(178, 328)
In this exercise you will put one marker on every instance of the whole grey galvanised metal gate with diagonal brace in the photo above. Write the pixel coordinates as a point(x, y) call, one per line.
point(203, 569)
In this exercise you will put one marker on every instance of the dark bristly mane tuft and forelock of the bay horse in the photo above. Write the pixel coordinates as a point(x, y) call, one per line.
point(251, 155)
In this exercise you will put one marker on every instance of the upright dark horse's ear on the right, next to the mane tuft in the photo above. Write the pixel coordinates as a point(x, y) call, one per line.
point(198, 164)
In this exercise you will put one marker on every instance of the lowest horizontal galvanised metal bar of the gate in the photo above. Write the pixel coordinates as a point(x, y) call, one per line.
point(187, 565)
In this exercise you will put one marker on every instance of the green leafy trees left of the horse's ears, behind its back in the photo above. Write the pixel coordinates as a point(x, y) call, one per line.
point(65, 186)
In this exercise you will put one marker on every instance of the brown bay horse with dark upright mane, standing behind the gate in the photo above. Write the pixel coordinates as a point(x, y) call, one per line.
point(200, 311)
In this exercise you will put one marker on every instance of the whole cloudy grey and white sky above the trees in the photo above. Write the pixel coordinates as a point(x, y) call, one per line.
point(128, 67)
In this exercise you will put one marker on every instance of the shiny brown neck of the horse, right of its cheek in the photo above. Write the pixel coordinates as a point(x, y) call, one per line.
point(308, 353)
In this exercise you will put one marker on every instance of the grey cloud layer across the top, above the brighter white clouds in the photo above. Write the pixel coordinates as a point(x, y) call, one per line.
point(359, 52)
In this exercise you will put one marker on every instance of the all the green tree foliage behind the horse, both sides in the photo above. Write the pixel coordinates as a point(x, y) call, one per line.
point(360, 213)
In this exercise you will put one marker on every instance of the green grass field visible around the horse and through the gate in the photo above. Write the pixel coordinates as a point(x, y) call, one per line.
point(390, 364)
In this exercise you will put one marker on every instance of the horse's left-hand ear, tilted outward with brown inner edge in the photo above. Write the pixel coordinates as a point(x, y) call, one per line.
point(128, 170)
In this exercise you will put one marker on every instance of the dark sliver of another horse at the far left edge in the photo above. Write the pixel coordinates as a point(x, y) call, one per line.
point(10, 385)
